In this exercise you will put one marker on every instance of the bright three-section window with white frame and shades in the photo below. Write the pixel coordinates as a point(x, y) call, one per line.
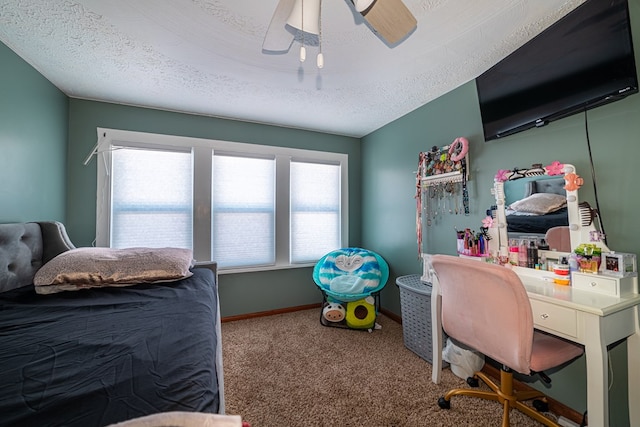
point(245, 206)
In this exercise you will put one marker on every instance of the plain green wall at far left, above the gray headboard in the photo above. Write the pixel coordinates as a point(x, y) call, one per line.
point(33, 143)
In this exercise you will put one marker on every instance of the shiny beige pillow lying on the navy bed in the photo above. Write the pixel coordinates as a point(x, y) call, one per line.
point(83, 268)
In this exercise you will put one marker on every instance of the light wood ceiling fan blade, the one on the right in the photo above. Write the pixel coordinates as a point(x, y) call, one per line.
point(390, 19)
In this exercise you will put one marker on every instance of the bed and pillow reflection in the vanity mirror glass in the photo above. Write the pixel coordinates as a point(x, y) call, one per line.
point(535, 205)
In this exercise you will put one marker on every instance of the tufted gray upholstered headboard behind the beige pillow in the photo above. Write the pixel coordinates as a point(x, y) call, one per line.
point(25, 247)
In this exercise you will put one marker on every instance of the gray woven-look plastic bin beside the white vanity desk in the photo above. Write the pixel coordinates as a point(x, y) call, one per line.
point(415, 301)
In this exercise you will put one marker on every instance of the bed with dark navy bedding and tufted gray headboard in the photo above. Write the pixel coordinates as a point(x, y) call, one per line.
point(104, 354)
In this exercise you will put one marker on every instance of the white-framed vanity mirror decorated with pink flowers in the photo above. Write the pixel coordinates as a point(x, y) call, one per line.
point(531, 202)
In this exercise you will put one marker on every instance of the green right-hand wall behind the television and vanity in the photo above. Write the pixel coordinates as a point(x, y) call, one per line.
point(390, 159)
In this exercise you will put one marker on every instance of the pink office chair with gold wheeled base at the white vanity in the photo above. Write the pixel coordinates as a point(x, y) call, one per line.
point(486, 307)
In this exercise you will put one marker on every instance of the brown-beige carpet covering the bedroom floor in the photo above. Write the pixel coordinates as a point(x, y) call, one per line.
point(288, 370)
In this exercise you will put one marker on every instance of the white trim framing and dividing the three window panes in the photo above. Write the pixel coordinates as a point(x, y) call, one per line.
point(203, 150)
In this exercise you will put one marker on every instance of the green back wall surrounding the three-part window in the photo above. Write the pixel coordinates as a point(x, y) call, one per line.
point(239, 293)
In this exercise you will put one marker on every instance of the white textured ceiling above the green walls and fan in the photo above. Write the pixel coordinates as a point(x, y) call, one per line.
point(205, 56)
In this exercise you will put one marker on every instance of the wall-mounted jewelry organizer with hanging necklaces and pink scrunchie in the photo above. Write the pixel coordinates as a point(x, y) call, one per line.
point(441, 184)
